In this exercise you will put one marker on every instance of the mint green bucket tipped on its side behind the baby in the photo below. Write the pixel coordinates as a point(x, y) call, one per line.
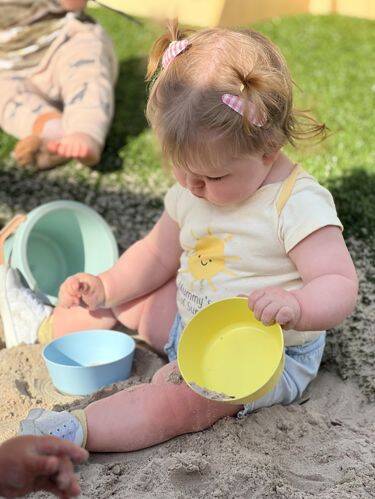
point(58, 240)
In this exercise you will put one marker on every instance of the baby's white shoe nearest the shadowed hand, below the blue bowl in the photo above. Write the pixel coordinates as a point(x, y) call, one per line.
point(63, 425)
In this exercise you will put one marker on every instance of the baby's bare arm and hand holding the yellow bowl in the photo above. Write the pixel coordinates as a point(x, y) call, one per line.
point(329, 291)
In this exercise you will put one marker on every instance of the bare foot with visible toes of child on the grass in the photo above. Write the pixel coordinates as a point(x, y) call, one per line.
point(78, 146)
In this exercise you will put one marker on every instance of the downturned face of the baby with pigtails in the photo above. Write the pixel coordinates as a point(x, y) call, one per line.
point(226, 185)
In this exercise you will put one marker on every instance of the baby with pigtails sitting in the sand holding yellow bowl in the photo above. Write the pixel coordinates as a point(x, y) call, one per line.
point(242, 218)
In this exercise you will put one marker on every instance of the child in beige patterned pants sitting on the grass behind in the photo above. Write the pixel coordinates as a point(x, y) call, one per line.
point(57, 76)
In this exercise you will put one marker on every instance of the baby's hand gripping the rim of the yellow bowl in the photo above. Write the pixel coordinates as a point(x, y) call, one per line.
point(272, 305)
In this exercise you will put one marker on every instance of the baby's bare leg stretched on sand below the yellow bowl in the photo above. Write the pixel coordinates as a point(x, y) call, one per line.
point(148, 414)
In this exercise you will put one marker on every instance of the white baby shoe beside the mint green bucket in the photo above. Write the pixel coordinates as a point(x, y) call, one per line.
point(21, 310)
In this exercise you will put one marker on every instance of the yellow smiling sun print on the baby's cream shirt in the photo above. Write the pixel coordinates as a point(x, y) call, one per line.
point(207, 258)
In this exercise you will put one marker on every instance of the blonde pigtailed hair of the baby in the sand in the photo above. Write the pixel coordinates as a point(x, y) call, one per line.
point(185, 107)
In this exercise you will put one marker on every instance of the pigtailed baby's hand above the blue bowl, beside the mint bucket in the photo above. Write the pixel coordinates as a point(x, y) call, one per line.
point(83, 289)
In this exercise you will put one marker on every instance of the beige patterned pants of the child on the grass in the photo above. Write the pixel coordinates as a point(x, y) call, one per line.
point(76, 76)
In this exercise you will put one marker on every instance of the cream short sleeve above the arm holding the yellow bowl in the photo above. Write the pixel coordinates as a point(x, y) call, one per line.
point(309, 208)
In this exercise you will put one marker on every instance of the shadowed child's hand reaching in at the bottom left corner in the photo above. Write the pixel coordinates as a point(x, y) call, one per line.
point(30, 463)
